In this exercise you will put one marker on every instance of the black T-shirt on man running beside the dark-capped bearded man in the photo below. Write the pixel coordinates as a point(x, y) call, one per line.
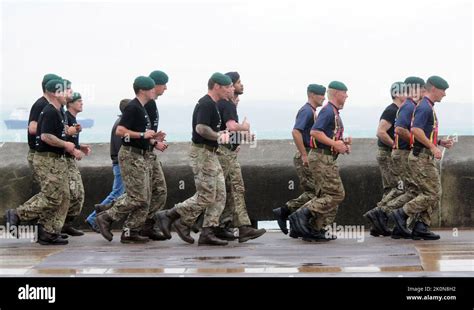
point(206, 113)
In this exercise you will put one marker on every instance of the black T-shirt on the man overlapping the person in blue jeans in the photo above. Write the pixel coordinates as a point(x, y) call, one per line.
point(135, 118)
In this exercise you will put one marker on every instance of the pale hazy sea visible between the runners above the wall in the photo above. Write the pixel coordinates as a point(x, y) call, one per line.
point(269, 120)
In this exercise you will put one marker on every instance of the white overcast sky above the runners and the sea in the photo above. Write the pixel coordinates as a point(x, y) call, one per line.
point(279, 47)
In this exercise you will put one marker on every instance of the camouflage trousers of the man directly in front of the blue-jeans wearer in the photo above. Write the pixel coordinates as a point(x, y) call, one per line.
point(136, 202)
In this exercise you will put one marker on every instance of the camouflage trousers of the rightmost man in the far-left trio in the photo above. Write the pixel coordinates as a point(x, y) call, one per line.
point(76, 189)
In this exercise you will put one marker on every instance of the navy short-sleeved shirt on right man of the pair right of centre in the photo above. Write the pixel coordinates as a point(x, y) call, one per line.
point(326, 122)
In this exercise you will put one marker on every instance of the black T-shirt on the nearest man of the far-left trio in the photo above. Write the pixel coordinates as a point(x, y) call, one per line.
point(50, 121)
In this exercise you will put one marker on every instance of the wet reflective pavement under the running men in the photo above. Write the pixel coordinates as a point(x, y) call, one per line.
point(273, 254)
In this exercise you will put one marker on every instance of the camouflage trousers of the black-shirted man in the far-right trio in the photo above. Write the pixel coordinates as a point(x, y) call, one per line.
point(391, 179)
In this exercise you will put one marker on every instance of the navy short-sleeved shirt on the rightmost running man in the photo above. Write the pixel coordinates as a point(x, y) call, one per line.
point(425, 118)
